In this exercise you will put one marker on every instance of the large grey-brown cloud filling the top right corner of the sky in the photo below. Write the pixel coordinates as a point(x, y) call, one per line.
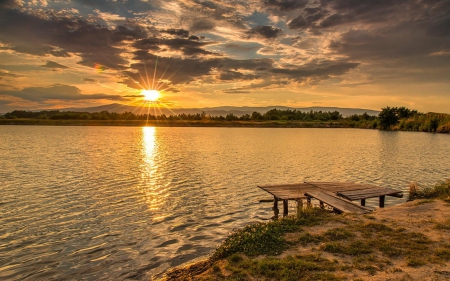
point(408, 40)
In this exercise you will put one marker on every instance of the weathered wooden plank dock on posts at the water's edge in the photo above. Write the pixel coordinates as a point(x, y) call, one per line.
point(335, 194)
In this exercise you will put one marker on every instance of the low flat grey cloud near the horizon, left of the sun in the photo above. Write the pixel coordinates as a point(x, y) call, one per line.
point(56, 92)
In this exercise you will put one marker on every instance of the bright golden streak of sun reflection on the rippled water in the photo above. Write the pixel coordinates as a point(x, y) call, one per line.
point(152, 183)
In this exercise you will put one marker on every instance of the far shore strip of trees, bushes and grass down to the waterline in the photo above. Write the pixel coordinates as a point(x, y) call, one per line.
point(390, 118)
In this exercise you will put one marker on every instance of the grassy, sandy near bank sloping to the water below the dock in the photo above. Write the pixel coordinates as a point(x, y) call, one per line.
point(404, 242)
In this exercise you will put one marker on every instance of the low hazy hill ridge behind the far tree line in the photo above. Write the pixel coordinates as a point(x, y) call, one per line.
point(216, 111)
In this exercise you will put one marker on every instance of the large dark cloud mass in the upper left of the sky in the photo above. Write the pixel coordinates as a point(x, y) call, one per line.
point(47, 33)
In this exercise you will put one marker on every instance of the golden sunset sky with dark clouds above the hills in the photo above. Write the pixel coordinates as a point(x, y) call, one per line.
point(206, 53)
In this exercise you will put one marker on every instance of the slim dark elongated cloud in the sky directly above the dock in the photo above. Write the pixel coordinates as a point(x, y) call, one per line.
point(322, 70)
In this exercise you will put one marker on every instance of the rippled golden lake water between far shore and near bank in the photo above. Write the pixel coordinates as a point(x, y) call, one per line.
point(115, 203)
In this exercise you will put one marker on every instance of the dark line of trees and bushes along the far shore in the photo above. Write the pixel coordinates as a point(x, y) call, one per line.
point(390, 118)
